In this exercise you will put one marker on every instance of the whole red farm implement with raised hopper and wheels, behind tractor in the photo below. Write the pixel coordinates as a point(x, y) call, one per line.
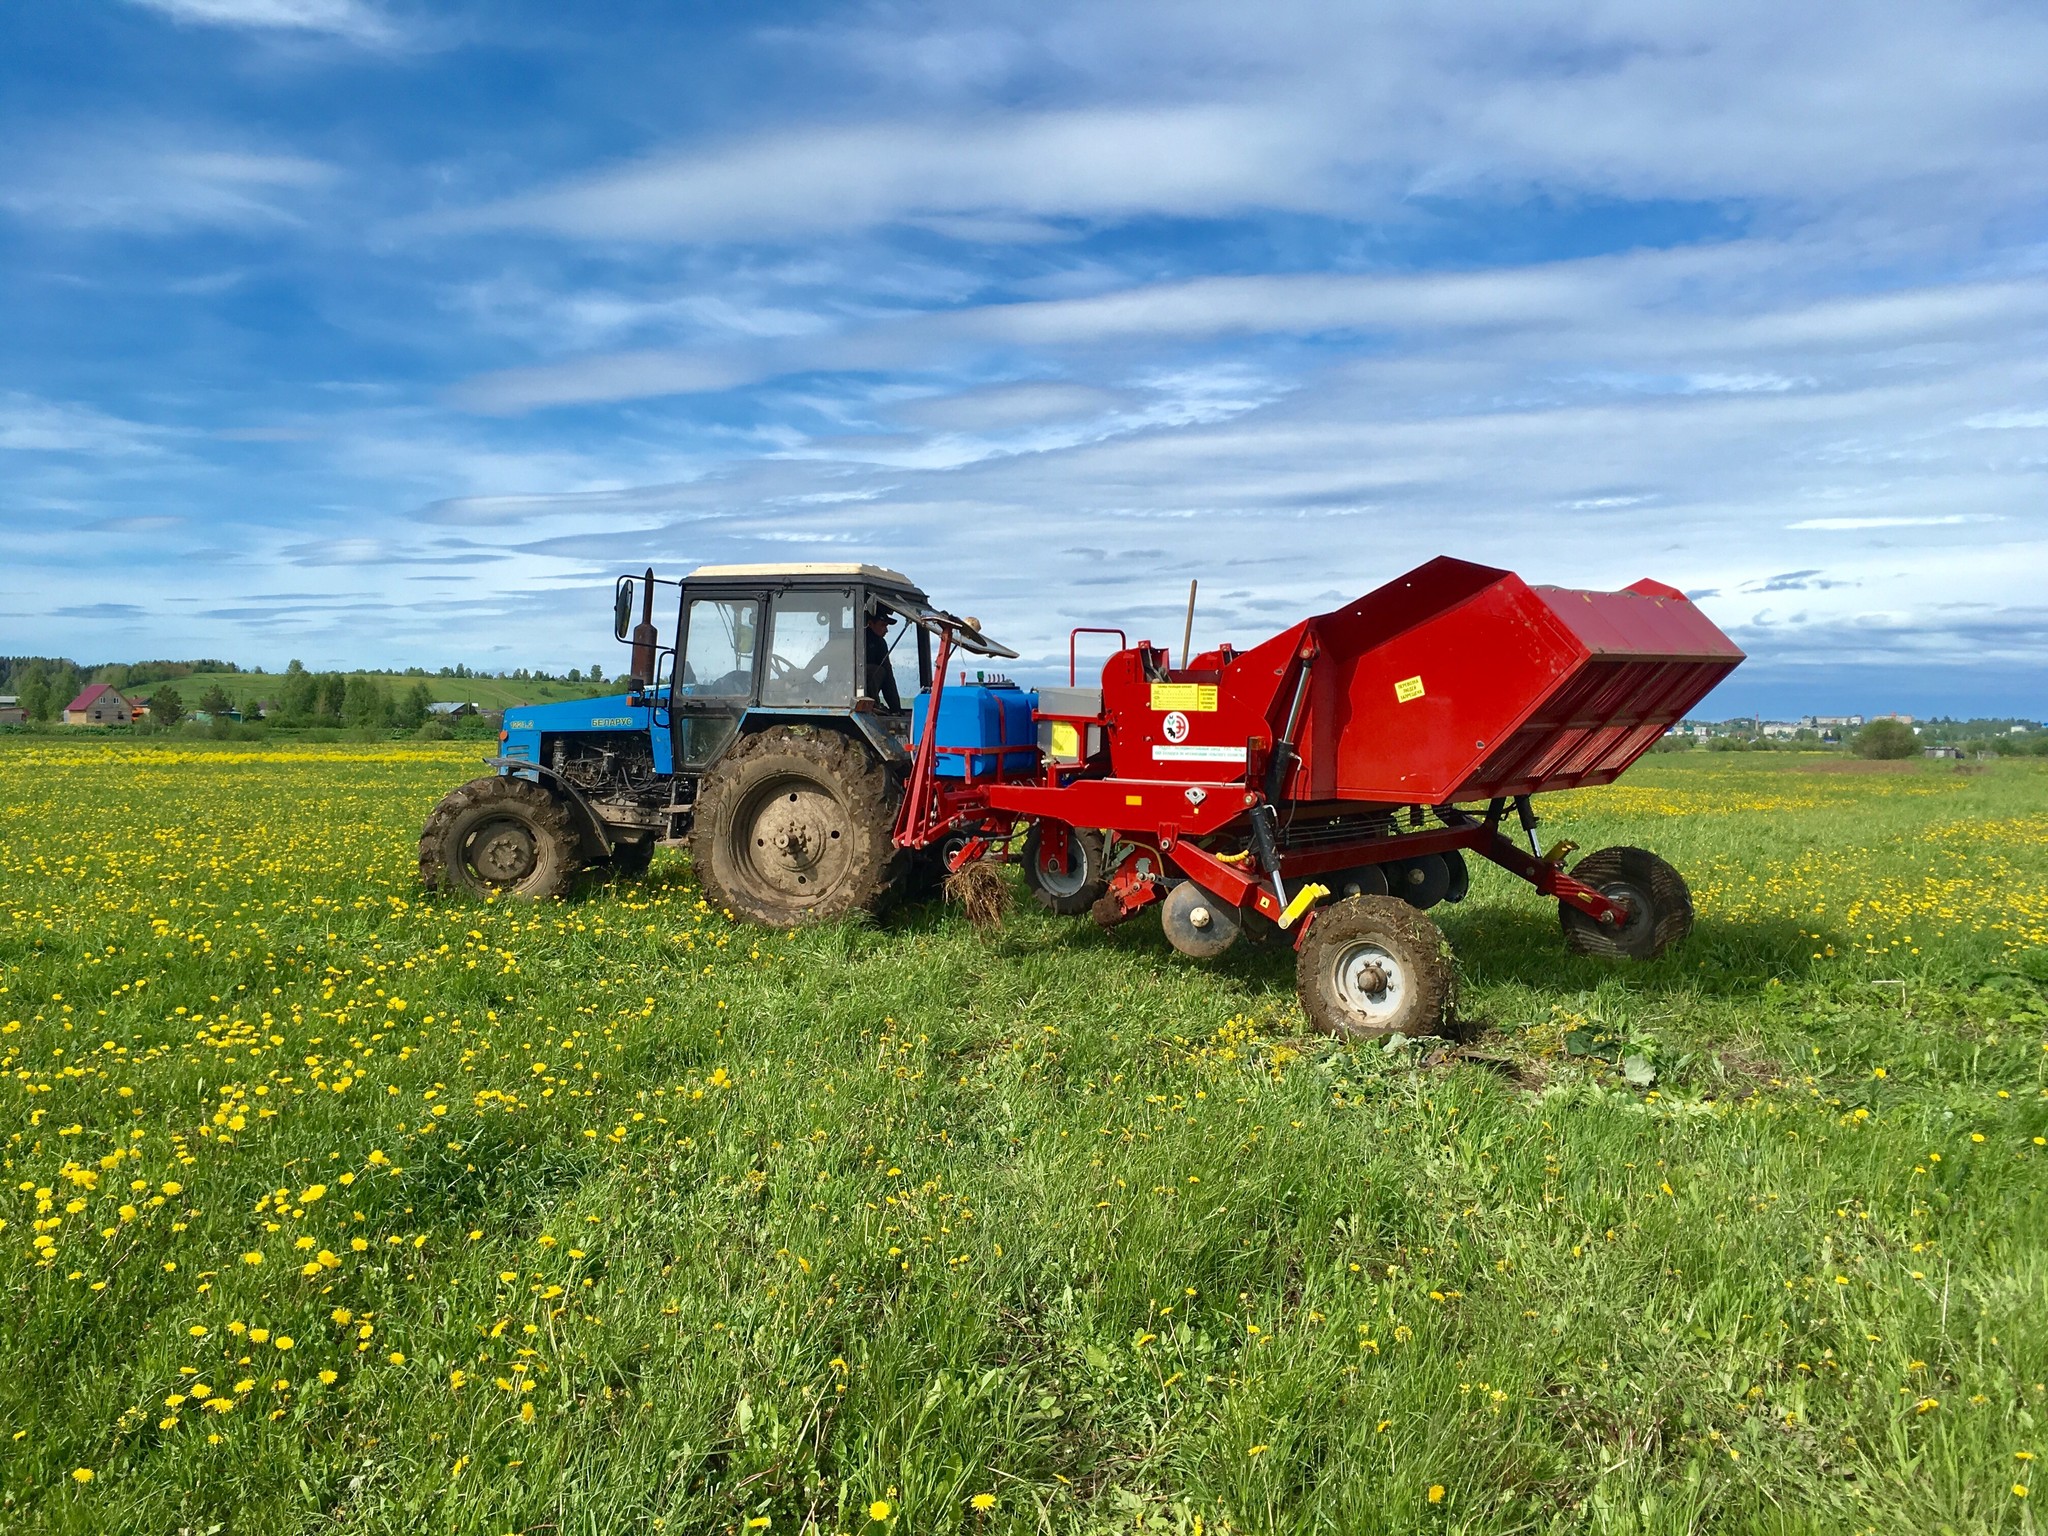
point(1330, 781)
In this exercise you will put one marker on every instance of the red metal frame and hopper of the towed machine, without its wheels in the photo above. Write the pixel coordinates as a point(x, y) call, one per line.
point(1451, 685)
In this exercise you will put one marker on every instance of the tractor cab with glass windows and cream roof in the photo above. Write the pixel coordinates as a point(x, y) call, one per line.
point(763, 644)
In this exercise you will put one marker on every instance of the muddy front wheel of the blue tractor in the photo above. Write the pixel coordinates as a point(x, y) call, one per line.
point(501, 837)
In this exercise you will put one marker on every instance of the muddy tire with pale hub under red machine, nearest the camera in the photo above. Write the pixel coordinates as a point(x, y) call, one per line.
point(1375, 966)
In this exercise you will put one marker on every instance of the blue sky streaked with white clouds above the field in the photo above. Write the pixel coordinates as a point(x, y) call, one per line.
point(380, 333)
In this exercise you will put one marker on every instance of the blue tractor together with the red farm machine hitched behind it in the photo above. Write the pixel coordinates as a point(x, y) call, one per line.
point(1324, 787)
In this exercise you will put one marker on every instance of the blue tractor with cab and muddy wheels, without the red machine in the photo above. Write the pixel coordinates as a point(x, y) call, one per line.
point(773, 740)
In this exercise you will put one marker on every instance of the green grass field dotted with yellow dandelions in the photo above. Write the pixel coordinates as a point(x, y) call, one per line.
point(337, 1207)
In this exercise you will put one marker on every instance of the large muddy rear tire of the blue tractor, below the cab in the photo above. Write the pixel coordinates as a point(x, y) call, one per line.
point(798, 826)
